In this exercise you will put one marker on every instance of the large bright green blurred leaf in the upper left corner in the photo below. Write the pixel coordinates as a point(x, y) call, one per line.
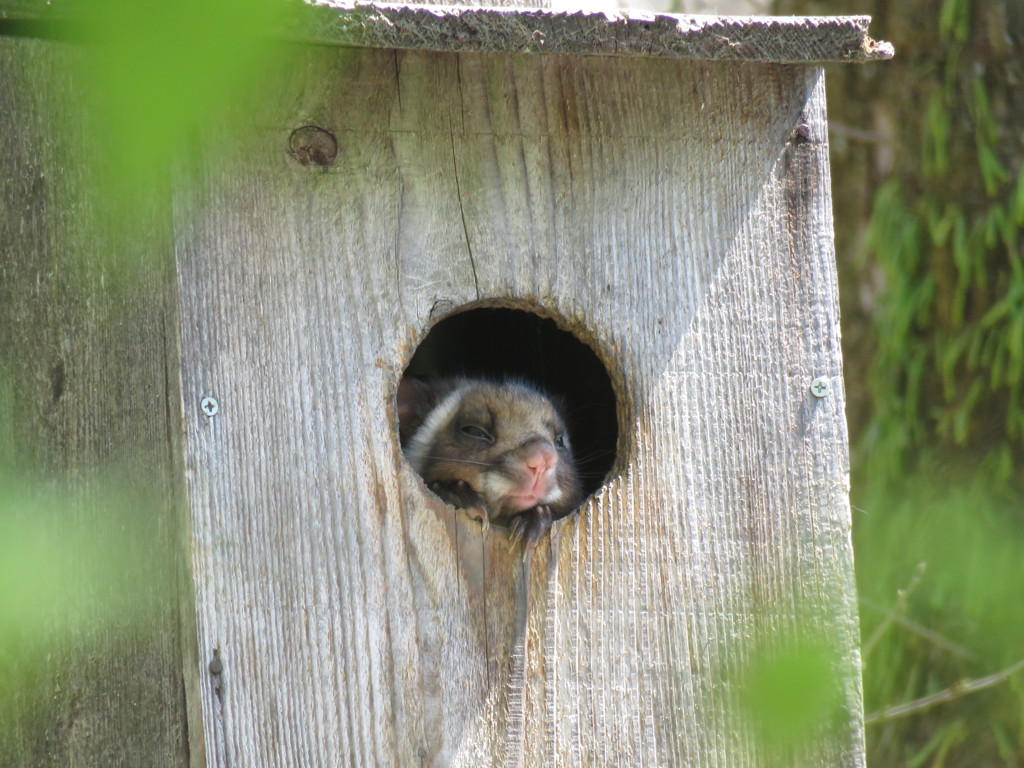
point(160, 70)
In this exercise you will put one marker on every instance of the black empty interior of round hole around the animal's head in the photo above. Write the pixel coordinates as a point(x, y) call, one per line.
point(498, 344)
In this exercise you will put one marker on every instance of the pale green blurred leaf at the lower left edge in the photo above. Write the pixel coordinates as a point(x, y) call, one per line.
point(69, 561)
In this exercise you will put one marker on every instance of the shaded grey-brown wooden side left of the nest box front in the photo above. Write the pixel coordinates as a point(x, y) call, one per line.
point(91, 471)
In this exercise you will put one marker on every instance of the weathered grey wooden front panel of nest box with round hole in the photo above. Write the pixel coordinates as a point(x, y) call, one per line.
point(666, 210)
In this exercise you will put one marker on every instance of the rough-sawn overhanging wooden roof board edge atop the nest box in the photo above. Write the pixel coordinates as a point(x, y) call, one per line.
point(452, 28)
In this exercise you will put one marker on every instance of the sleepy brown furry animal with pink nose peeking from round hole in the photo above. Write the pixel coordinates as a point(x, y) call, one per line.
point(500, 449)
